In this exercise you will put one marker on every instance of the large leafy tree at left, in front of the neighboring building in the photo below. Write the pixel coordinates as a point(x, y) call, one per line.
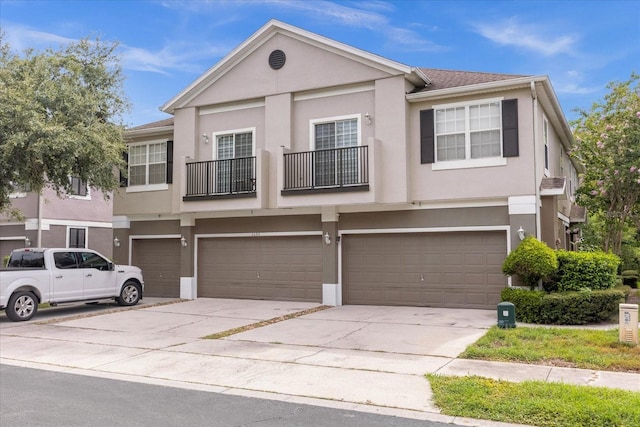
point(60, 117)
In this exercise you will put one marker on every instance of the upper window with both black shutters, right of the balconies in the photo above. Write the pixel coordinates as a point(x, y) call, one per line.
point(470, 134)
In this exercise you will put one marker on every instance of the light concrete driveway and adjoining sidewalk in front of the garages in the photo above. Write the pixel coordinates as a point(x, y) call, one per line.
point(353, 357)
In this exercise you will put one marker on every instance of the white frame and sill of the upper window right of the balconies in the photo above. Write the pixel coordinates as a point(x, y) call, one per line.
point(467, 162)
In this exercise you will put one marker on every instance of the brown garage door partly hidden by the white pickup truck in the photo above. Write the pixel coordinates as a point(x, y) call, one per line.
point(159, 260)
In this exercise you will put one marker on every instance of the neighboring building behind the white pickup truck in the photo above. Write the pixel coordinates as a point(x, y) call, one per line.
point(82, 219)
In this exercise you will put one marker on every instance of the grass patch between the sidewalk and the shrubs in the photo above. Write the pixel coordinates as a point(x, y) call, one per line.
point(576, 348)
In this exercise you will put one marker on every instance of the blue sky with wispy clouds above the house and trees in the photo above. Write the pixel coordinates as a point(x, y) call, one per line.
point(165, 45)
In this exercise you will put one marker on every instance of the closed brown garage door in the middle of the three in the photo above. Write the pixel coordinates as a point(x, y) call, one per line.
point(278, 268)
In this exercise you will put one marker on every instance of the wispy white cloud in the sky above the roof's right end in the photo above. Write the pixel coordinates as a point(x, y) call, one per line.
point(511, 32)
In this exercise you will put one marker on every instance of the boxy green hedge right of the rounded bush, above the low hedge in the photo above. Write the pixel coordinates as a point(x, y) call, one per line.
point(590, 270)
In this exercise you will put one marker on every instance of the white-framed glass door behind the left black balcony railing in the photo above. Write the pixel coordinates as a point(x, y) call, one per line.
point(234, 152)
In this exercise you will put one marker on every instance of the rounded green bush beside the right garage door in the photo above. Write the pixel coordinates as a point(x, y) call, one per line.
point(531, 261)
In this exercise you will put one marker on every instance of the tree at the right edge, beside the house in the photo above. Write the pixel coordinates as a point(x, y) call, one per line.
point(608, 146)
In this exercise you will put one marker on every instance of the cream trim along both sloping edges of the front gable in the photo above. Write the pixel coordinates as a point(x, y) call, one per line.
point(270, 29)
